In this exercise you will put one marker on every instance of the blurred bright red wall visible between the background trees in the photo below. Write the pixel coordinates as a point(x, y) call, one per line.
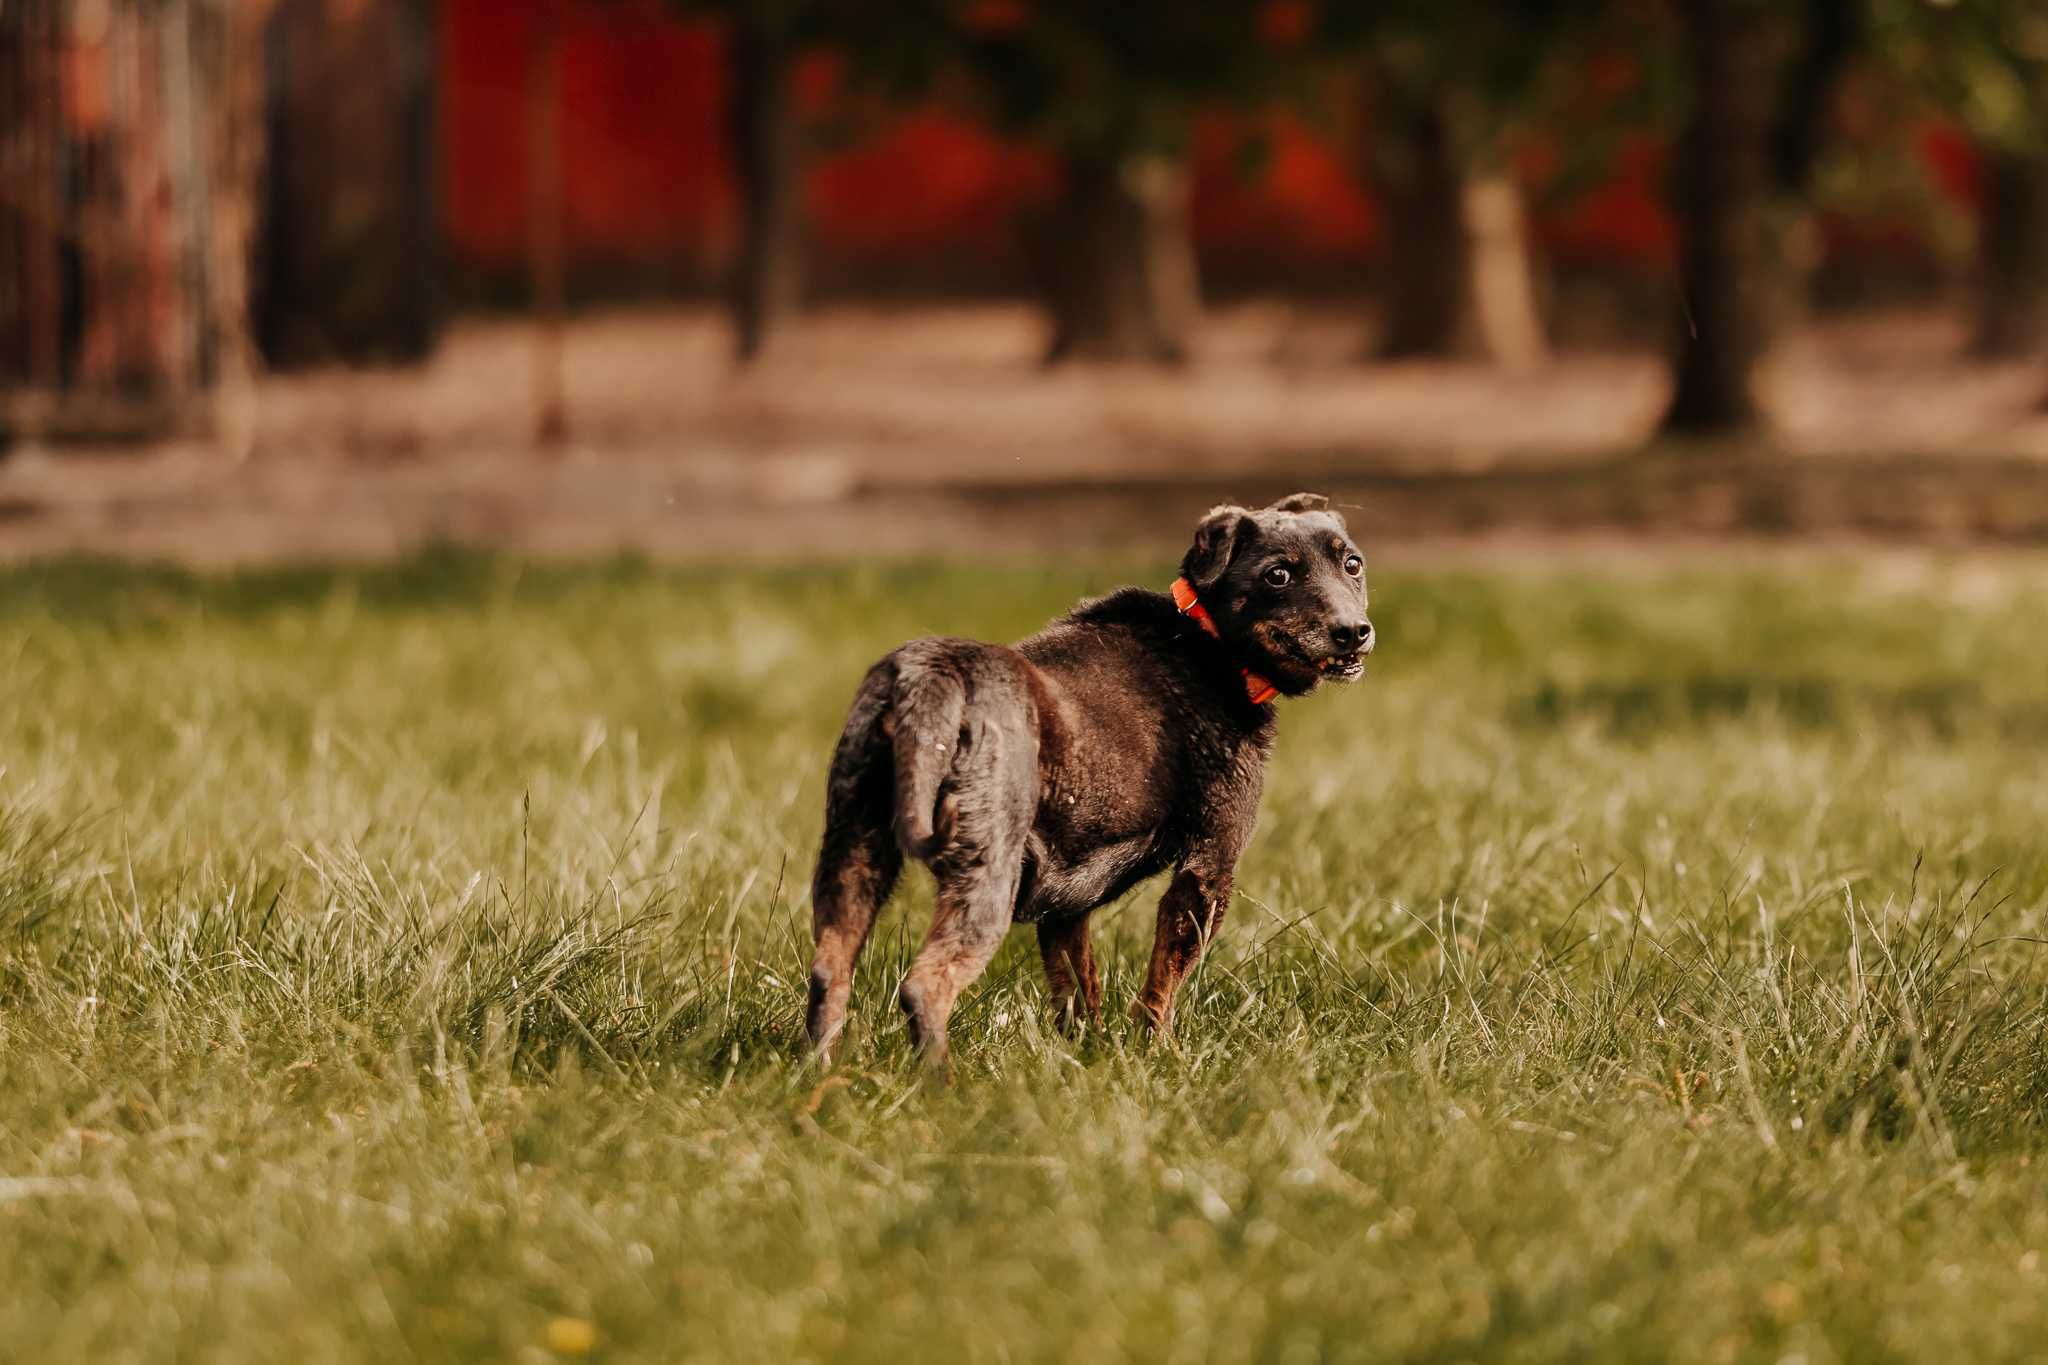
point(648, 183)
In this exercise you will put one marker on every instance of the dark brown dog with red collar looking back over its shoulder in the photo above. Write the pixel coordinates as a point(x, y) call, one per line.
point(1043, 781)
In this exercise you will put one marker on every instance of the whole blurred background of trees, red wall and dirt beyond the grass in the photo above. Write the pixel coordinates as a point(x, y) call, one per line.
point(767, 277)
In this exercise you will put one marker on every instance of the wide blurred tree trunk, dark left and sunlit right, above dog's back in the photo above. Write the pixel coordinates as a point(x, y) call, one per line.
point(1117, 263)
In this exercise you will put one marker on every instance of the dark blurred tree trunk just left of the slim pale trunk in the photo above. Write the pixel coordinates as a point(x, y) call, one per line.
point(1426, 259)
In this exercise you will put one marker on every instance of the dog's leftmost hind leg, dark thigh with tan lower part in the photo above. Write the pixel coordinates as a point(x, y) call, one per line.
point(859, 863)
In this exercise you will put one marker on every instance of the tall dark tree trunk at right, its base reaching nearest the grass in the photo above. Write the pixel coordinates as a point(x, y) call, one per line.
point(1723, 210)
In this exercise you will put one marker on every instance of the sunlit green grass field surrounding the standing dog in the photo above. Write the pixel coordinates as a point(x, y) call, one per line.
point(407, 965)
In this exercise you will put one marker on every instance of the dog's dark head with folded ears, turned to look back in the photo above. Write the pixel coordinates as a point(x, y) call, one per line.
point(1287, 588)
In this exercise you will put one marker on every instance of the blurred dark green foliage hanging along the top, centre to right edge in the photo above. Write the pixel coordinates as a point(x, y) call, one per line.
point(1551, 91)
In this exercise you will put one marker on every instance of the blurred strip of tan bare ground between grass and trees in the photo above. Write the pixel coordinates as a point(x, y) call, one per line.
point(933, 431)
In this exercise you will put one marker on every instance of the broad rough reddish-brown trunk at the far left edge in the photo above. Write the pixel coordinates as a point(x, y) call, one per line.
point(122, 294)
